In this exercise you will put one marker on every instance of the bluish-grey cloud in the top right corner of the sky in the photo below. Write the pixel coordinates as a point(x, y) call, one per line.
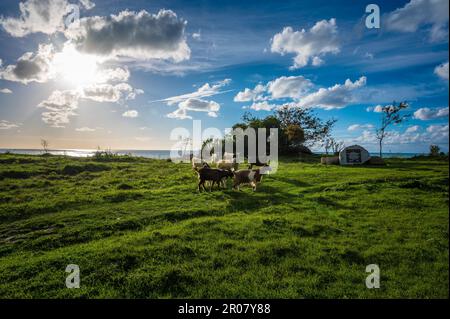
point(419, 13)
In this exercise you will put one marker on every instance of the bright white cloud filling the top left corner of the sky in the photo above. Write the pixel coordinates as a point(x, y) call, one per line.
point(46, 16)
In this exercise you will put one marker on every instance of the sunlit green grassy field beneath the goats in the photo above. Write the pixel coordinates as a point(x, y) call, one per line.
point(138, 228)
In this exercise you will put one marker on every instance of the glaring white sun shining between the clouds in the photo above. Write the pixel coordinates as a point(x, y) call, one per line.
point(76, 68)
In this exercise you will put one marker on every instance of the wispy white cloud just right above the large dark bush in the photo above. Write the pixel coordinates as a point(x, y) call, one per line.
point(337, 96)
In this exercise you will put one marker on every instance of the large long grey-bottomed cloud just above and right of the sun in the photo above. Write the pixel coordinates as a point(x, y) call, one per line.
point(138, 35)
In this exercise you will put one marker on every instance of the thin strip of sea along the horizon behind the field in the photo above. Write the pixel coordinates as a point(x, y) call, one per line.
point(156, 154)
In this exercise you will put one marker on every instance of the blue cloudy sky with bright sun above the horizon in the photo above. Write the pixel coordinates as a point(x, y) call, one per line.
point(125, 74)
